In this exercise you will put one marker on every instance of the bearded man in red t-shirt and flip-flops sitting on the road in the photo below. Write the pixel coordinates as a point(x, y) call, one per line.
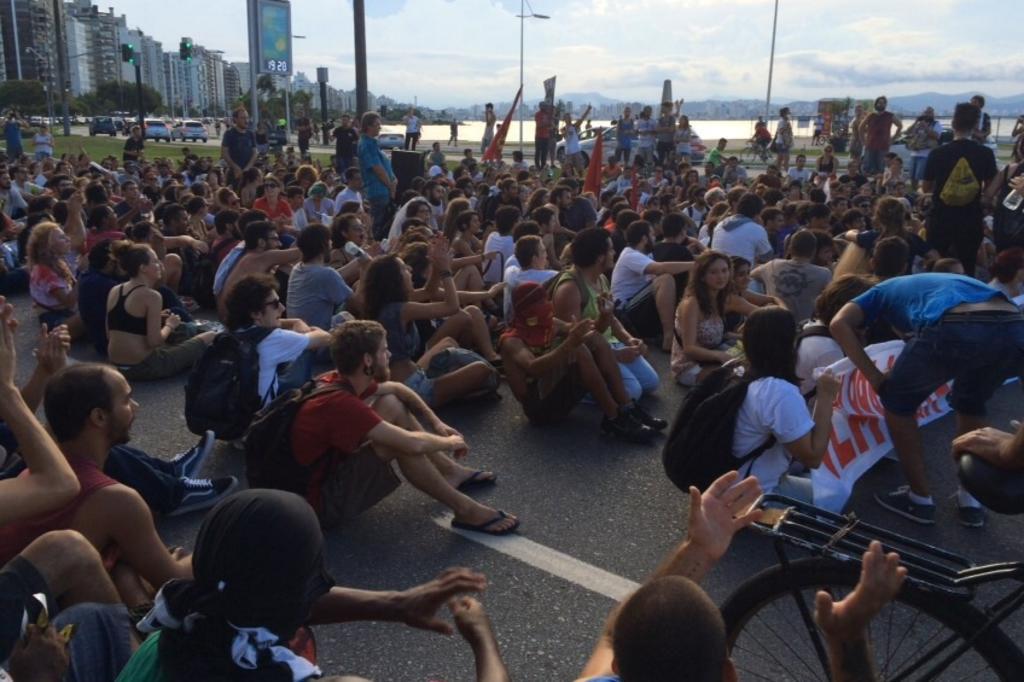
point(378, 421)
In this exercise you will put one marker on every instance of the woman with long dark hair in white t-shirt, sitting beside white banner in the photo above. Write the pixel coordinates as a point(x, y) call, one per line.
point(775, 408)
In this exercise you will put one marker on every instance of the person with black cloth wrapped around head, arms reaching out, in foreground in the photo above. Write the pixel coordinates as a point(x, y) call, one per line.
point(259, 578)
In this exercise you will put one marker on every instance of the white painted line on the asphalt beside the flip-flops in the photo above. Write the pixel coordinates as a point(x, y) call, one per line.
point(549, 561)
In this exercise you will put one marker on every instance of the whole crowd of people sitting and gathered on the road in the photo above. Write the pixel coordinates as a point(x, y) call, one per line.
point(327, 315)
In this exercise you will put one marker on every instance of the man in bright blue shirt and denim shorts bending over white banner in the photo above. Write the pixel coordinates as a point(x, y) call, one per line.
point(962, 330)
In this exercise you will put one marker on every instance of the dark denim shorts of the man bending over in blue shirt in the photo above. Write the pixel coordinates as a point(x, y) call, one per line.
point(978, 351)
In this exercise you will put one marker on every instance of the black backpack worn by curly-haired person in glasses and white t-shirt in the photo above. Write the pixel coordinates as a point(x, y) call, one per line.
point(223, 393)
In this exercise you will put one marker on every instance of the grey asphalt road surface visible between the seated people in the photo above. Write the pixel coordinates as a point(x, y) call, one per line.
point(598, 501)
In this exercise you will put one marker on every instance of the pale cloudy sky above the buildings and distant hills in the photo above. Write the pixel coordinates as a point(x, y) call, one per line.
point(457, 53)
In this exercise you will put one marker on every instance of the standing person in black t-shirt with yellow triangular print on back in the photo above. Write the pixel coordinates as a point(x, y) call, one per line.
point(956, 176)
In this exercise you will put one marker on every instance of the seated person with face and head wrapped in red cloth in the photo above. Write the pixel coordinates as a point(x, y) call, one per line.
point(551, 365)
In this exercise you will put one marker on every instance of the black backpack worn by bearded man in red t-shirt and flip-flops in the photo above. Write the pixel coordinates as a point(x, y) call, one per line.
point(270, 461)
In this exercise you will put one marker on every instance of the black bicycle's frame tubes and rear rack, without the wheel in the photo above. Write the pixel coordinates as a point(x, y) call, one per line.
point(845, 538)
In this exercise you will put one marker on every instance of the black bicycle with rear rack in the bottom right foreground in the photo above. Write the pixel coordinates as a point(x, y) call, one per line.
point(935, 629)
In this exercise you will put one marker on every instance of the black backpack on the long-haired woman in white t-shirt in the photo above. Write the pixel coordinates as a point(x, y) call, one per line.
point(700, 446)
